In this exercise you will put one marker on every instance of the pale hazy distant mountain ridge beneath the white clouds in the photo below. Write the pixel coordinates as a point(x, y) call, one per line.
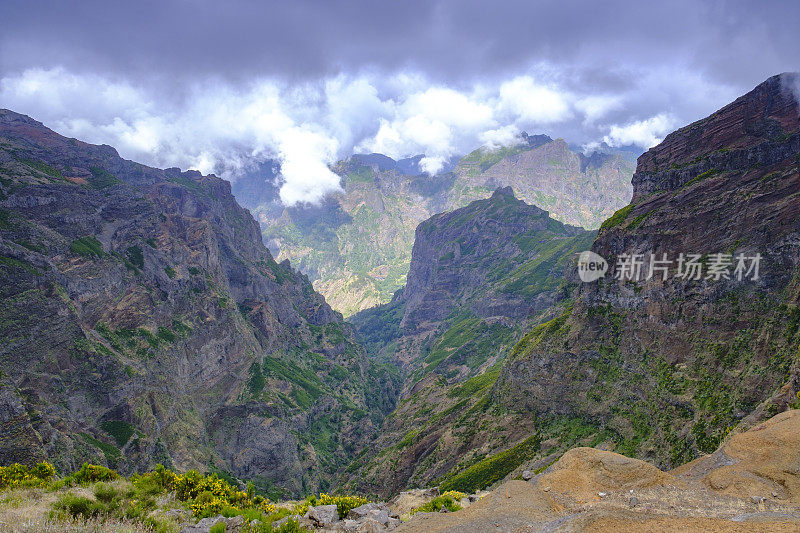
point(356, 245)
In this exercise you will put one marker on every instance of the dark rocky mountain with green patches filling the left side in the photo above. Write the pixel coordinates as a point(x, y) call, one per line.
point(142, 320)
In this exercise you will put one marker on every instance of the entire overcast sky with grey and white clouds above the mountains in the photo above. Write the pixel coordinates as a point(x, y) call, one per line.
point(221, 85)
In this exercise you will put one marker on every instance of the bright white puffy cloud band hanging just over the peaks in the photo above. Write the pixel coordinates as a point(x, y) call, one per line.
point(220, 127)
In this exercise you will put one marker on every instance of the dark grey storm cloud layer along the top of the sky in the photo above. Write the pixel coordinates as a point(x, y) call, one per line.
point(737, 42)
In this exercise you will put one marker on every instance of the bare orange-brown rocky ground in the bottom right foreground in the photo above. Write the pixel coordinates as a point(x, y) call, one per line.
point(594, 490)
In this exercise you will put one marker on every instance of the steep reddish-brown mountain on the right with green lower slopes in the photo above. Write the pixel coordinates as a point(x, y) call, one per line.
point(662, 367)
